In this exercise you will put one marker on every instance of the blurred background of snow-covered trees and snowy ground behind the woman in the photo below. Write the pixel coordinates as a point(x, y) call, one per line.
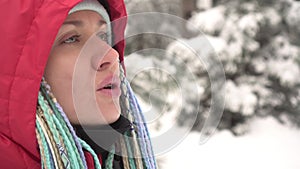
point(257, 43)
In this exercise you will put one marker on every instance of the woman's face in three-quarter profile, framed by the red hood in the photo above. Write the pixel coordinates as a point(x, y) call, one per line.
point(76, 50)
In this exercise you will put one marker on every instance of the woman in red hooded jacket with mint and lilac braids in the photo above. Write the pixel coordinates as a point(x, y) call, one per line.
point(41, 126)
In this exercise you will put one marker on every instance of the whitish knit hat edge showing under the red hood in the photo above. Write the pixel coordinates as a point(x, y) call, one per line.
point(94, 5)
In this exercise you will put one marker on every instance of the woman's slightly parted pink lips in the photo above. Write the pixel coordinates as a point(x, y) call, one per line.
point(110, 86)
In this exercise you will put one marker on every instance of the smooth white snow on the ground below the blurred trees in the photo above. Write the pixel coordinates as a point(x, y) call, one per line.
point(267, 145)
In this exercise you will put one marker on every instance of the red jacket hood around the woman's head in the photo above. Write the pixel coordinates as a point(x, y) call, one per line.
point(28, 30)
